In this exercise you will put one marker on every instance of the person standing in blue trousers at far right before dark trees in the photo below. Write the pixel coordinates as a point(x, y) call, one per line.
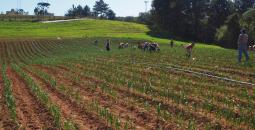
point(242, 45)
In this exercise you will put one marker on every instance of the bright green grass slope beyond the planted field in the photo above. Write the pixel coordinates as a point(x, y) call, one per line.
point(74, 29)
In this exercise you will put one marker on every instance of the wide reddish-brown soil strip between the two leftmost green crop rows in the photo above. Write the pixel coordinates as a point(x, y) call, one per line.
point(31, 114)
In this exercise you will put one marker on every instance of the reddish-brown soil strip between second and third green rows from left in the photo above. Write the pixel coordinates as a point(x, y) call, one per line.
point(71, 110)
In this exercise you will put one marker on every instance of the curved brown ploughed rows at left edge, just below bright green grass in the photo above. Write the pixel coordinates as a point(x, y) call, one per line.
point(25, 51)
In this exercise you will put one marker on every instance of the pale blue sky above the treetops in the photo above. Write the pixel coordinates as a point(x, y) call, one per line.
point(60, 7)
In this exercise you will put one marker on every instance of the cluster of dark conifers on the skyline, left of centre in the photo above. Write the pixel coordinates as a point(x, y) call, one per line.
point(100, 9)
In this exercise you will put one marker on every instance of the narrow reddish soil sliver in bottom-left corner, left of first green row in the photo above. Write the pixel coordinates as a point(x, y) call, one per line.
point(5, 118)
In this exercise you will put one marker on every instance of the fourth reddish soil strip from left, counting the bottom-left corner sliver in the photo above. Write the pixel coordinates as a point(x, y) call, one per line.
point(120, 108)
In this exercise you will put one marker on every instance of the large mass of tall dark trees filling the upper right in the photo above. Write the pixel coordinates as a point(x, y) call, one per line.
point(208, 21)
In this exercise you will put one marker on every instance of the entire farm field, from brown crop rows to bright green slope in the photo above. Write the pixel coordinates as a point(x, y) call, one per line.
point(70, 83)
